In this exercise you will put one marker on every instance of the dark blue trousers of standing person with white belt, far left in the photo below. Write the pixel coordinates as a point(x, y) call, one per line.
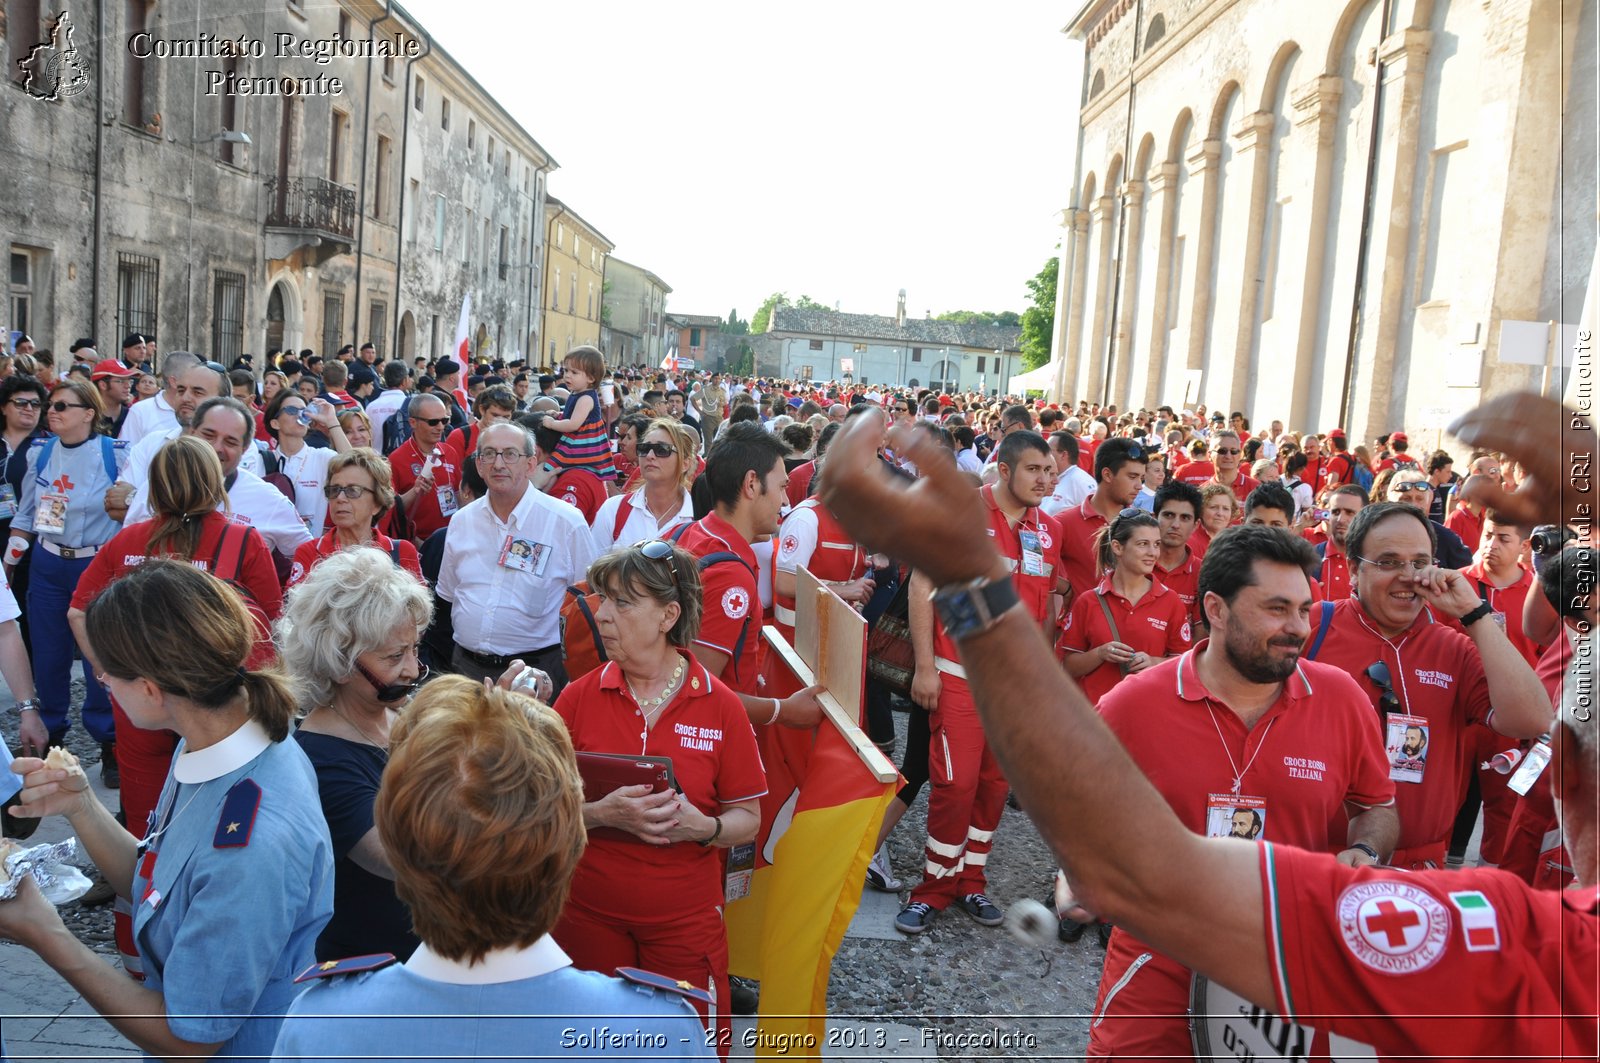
point(49, 595)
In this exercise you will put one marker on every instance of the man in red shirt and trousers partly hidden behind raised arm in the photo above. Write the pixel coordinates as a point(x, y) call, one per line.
point(969, 788)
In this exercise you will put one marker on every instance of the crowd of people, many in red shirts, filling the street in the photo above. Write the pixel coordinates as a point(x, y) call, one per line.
point(351, 608)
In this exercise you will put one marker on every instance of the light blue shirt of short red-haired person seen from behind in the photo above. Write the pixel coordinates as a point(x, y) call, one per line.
point(431, 1009)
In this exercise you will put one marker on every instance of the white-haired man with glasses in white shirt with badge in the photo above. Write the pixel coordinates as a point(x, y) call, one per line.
point(506, 576)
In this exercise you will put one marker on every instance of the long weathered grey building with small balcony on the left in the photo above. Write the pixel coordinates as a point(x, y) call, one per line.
point(332, 180)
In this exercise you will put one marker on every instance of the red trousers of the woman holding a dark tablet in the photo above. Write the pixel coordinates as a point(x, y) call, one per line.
point(682, 942)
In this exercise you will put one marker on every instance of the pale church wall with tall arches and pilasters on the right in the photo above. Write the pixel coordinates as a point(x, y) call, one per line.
point(1326, 212)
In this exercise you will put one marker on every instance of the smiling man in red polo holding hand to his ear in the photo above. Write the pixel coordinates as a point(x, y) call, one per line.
point(1426, 681)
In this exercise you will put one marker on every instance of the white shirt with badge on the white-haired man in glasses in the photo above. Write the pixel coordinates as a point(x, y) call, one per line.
point(497, 608)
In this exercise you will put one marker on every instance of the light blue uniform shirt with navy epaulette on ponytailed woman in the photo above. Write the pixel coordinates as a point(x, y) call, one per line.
point(223, 926)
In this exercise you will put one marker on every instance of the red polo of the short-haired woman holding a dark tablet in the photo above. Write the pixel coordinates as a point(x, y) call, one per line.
point(716, 761)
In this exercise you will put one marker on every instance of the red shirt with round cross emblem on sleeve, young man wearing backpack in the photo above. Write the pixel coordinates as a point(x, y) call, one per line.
point(732, 600)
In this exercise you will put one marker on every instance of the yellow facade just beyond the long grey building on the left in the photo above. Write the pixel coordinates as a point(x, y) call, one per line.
point(575, 260)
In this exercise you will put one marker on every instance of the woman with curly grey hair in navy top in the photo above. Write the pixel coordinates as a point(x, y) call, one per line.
point(350, 636)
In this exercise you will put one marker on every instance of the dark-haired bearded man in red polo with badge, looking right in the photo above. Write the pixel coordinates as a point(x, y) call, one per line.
point(1241, 728)
